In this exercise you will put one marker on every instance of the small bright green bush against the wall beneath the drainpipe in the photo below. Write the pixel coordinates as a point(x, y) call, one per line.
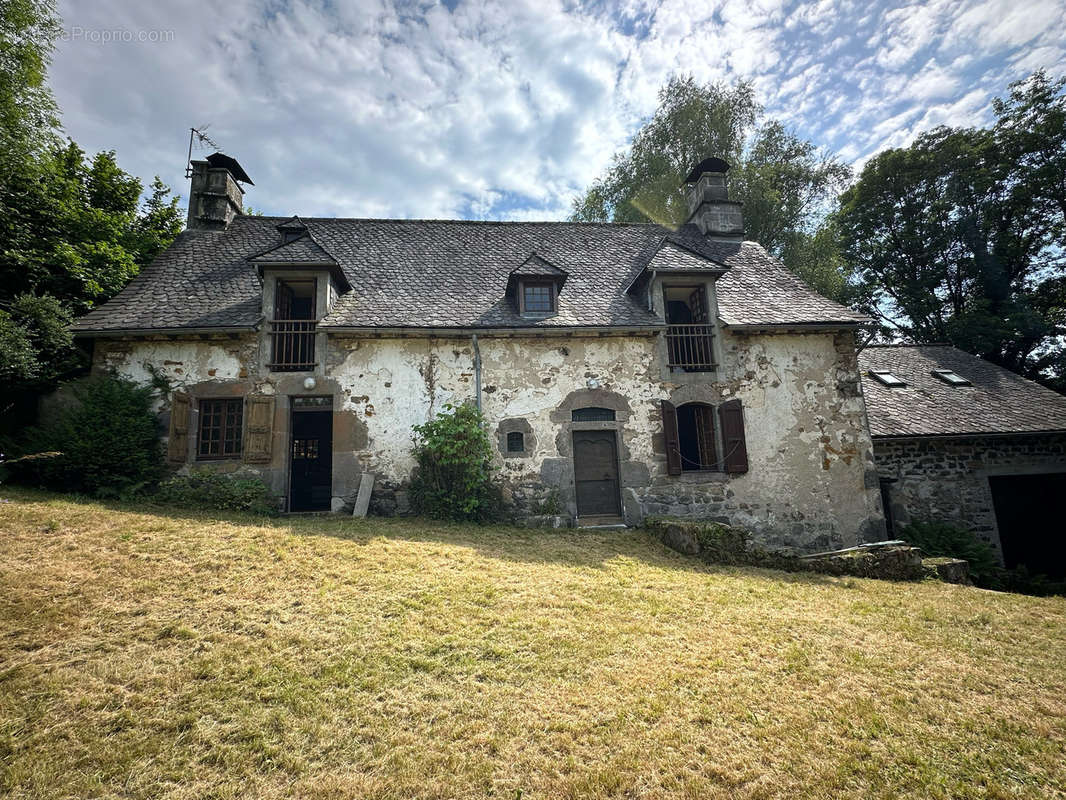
point(454, 477)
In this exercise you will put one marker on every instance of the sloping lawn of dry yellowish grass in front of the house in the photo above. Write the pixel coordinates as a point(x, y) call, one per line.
point(147, 653)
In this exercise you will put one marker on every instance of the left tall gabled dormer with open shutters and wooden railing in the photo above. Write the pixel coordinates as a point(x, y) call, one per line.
point(301, 282)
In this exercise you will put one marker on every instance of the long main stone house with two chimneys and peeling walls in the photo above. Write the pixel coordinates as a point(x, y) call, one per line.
point(623, 370)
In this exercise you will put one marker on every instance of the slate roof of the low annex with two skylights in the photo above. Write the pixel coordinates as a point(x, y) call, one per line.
point(998, 402)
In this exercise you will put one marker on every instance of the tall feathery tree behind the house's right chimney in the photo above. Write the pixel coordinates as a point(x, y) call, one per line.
point(785, 183)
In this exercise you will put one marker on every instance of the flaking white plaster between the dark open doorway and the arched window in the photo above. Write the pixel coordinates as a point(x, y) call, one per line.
point(397, 383)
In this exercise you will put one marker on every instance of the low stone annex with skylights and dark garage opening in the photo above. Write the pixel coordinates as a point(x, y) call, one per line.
point(962, 441)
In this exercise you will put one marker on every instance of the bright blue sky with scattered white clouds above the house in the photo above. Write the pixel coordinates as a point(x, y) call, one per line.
point(508, 109)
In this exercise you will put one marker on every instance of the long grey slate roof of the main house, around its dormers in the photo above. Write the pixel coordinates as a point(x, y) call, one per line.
point(428, 274)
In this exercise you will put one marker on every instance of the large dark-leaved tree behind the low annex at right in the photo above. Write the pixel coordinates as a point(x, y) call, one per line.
point(960, 236)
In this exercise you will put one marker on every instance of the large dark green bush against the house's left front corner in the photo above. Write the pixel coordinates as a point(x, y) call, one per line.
point(108, 437)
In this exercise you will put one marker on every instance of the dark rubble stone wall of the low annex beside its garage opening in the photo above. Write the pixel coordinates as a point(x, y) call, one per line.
point(947, 479)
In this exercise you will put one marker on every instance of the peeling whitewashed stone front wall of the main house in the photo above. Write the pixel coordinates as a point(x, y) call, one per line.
point(811, 483)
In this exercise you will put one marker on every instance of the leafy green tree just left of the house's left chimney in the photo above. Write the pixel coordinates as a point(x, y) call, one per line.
point(73, 233)
